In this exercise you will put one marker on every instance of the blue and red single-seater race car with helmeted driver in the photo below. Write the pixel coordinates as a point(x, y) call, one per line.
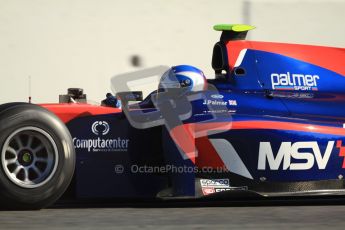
point(271, 123)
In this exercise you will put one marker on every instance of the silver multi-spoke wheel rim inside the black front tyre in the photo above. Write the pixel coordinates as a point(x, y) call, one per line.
point(29, 157)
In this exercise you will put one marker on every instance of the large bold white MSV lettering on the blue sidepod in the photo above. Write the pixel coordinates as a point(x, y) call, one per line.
point(308, 152)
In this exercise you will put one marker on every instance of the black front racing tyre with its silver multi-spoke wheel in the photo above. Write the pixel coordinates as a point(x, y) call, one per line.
point(37, 157)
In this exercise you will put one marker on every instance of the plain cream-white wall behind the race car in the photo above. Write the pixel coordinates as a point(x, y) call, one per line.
point(83, 43)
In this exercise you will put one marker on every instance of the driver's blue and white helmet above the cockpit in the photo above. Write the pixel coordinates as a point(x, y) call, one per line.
point(186, 77)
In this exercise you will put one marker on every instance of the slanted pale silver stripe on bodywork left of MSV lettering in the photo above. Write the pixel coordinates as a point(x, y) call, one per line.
point(230, 157)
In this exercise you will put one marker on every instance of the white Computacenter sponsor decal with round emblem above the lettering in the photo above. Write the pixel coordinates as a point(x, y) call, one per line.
point(101, 144)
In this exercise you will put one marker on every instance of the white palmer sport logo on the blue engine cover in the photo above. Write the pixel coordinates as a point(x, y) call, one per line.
point(287, 81)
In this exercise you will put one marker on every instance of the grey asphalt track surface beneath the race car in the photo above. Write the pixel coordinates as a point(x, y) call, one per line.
point(314, 214)
